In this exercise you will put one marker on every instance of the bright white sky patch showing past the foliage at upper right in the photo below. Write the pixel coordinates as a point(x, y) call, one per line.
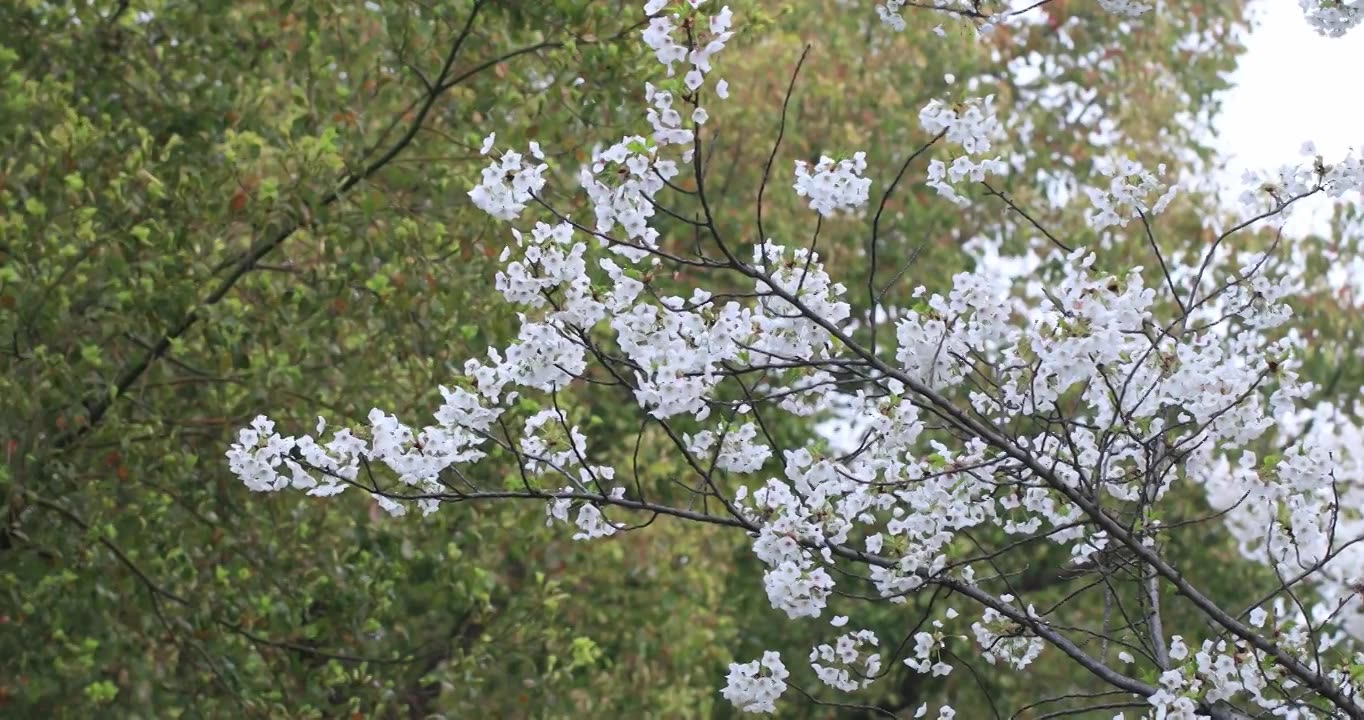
point(1292, 87)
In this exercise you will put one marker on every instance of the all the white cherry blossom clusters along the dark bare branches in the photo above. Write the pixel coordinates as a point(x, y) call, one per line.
point(1040, 407)
